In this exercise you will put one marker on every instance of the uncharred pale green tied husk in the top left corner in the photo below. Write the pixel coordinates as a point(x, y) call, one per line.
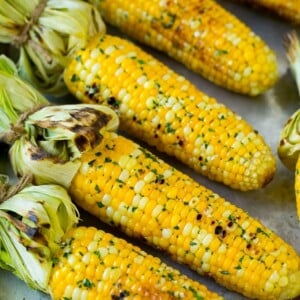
point(58, 29)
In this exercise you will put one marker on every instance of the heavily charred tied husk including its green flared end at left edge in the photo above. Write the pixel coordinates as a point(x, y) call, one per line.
point(55, 135)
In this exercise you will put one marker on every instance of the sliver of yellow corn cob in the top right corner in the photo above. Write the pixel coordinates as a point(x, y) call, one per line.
point(289, 10)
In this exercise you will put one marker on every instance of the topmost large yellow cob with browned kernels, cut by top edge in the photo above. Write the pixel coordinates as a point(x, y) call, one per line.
point(202, 35)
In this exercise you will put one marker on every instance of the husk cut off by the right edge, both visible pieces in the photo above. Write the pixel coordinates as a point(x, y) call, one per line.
point(289, 140)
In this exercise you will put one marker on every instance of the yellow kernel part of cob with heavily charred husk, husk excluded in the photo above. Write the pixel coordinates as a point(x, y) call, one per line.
point(194, 226)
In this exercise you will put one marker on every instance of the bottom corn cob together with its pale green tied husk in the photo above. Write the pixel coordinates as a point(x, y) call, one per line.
point(37, 228)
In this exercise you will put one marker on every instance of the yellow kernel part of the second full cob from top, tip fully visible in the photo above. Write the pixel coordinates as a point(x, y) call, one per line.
point(184, 123)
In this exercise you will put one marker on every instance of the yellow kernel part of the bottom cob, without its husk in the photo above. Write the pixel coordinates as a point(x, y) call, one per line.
point(111, 268)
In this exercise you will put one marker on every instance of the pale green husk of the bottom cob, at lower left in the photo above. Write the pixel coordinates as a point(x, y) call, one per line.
point(32, 225)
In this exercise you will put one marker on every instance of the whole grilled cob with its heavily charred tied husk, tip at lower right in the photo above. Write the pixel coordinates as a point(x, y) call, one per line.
point(127, 186)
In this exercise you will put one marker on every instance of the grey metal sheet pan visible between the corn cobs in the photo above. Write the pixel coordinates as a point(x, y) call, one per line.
point(273, 205)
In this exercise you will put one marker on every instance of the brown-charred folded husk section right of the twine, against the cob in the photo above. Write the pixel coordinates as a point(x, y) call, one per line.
point(55, 138)
